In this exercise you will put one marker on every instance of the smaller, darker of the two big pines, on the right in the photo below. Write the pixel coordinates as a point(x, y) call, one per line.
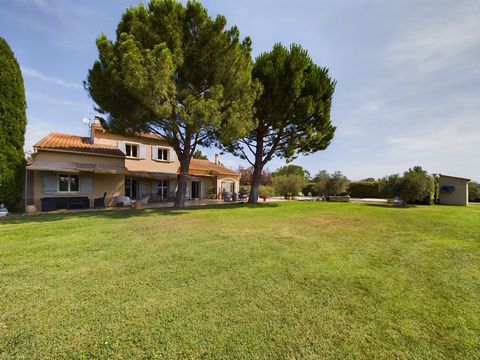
point(292, 113)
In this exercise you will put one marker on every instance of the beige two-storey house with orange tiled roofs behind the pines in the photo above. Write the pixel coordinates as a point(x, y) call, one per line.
point(80, 169)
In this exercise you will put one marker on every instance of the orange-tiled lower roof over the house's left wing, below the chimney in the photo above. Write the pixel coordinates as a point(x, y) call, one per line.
point(74, 143)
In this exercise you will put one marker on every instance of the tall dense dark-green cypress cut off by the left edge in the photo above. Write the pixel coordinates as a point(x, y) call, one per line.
point(13, 121)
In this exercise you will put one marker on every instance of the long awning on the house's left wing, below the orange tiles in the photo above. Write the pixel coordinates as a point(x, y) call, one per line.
point(72, 167)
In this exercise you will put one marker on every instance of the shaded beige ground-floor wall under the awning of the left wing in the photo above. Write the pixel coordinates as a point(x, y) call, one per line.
point(113, 185)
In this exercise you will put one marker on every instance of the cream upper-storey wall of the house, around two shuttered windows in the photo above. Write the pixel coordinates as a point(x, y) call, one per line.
point(147, 164)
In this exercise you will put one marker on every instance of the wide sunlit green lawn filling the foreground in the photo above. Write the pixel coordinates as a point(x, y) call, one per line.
point(305, 280)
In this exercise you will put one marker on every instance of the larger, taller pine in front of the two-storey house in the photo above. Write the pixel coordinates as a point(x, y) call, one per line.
point(175, 72)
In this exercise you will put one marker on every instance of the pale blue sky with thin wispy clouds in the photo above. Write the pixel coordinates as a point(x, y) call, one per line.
point(408, 73)
